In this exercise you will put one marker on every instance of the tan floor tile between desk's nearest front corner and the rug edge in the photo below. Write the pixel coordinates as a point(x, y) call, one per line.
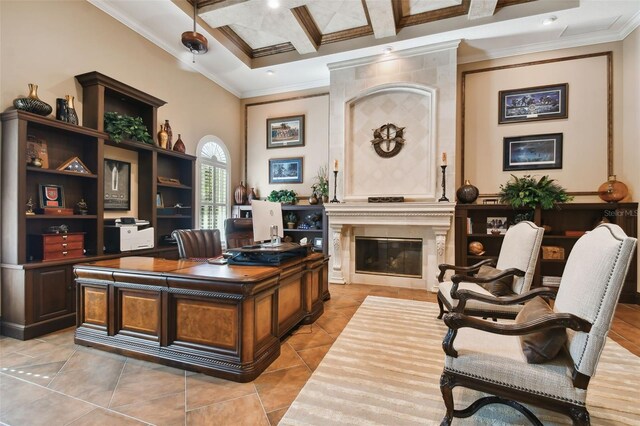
point(278, 389)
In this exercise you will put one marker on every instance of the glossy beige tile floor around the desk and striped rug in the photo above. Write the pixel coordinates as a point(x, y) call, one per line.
point(51, 381)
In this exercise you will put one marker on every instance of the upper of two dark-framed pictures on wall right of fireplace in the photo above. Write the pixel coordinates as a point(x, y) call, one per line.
point(533, 103)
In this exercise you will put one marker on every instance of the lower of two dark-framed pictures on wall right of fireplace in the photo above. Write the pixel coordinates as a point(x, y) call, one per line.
point(533, 152)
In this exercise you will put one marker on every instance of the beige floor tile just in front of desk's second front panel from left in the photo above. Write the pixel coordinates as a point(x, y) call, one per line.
point(140, 384)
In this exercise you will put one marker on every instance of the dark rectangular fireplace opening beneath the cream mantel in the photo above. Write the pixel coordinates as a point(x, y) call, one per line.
point(389, 256)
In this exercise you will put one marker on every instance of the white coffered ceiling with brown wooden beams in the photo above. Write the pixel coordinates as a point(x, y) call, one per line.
point(257, 50)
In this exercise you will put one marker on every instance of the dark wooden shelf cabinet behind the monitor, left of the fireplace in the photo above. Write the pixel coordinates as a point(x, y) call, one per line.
point(310, 222)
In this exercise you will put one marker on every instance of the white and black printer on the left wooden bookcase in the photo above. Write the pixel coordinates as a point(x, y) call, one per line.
point(128, 234)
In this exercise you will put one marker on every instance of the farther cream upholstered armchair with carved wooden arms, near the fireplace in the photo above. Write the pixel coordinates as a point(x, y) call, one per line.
point(512, 275)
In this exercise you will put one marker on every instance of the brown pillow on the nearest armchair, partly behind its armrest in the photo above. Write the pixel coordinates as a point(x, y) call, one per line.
point(541, 346)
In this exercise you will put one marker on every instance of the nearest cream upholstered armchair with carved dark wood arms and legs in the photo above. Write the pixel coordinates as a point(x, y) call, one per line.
point(496, 358)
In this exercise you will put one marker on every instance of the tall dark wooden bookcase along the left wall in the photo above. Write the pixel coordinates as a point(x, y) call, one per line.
point(38, 296)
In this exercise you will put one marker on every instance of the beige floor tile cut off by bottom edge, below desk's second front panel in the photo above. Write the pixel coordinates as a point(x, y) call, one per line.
point(166, 410)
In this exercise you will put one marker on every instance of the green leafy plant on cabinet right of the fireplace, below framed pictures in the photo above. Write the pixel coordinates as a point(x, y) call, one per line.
point(529, 192)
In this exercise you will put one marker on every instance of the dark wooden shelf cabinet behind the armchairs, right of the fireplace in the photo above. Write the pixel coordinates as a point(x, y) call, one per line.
point(563, 227)
